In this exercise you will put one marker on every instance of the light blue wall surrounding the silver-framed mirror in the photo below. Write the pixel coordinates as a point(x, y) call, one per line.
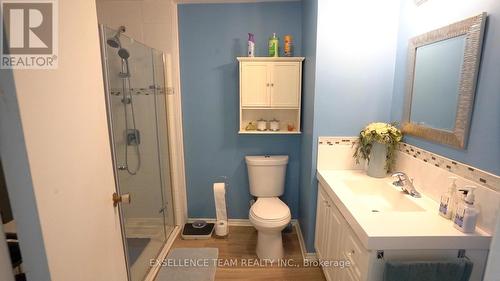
point(483, 150)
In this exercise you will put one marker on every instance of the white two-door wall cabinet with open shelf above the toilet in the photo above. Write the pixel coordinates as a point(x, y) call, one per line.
point(270, 88)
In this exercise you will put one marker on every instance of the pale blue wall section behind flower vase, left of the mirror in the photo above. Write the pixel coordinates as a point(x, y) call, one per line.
point(355, 65)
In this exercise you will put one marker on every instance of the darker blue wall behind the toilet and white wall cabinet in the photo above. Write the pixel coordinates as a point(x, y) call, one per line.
point(211, 37)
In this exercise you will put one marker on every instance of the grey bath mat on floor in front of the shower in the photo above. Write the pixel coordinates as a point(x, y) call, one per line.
point(189, 264)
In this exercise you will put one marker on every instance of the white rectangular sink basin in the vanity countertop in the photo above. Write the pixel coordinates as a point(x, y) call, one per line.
point(378, 195)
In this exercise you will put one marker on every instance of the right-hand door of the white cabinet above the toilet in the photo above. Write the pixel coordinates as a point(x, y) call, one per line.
point(285, 84)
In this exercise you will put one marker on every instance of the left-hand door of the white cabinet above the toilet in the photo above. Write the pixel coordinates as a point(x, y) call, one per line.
point(255, 85)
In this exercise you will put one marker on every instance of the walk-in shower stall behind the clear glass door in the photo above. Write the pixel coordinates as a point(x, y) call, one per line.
point(134, 76)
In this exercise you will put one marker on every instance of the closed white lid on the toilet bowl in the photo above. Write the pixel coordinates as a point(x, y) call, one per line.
point(270, 209)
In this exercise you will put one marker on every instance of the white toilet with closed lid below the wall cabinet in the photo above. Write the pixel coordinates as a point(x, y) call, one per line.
point(269, 215)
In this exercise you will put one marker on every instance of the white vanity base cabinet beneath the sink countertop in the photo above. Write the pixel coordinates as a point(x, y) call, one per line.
point(336, 241)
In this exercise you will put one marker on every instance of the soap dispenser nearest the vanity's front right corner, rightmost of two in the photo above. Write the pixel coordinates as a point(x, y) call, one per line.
point(466, 214)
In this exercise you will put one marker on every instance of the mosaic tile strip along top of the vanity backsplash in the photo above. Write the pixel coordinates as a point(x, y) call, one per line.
point(471, 173)
